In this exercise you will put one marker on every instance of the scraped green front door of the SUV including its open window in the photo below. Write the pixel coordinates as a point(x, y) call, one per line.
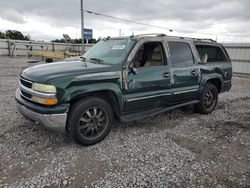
point(148, 84)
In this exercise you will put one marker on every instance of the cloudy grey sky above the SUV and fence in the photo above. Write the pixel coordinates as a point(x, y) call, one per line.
point(222, 20)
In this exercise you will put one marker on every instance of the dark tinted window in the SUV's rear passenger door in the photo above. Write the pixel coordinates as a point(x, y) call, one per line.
point(180, 53)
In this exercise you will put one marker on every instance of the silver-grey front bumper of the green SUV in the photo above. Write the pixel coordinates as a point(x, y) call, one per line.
point(53, 121)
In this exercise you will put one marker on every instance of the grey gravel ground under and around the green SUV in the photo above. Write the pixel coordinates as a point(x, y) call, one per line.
point(176, 149)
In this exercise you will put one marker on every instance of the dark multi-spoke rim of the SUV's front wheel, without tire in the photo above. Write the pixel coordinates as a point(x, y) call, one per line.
point(93, 123)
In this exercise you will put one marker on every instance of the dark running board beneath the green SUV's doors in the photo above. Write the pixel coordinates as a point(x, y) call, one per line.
point(153, 112)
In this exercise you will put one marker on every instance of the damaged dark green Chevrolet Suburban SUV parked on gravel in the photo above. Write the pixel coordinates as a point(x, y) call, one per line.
point(124, 78)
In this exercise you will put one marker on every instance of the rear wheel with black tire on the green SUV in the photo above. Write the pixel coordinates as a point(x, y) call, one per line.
point(208, 99)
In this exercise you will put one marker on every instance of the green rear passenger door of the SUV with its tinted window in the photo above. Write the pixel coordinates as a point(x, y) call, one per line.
point(184, 71)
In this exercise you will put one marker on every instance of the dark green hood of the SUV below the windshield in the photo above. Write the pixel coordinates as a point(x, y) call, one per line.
point(45, 72)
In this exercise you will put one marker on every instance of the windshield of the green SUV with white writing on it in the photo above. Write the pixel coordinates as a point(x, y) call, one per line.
point(110, 51)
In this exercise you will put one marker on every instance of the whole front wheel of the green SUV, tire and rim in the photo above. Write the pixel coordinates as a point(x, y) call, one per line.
point(90, 120)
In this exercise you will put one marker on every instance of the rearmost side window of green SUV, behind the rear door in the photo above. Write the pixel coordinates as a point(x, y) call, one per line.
point(213, 53)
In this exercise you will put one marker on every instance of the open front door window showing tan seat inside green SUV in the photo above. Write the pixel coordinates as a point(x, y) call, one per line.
point(148, 55)
